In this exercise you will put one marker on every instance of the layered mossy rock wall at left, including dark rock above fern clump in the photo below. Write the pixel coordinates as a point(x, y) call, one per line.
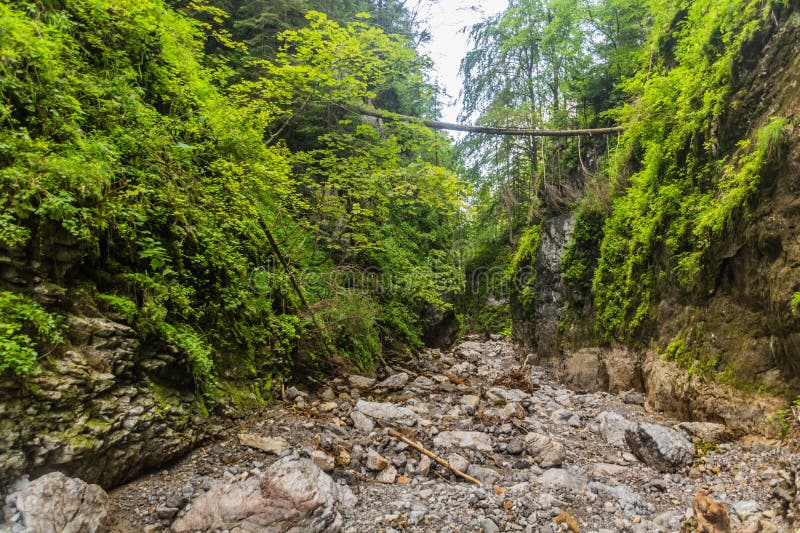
point(104, 407)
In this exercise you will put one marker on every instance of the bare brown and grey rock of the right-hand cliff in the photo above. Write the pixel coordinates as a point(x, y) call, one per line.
point(741, 317)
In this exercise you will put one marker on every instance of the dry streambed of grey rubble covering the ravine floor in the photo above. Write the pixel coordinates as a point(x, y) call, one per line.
point(549, 459)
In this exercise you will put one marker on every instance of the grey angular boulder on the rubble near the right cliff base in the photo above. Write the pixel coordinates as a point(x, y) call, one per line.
point(663, 448)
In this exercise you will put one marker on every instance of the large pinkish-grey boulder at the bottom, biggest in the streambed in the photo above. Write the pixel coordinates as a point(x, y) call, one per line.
point(292, 495)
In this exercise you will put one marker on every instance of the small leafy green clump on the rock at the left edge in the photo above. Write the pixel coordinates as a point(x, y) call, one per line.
point(25, 329)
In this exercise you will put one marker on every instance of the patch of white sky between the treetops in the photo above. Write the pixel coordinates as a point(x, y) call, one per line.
point(448, 45)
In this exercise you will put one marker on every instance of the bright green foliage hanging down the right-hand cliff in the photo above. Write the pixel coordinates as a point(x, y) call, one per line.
point(682, 198)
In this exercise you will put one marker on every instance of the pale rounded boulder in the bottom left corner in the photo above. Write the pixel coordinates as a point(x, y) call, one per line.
point(55, 502)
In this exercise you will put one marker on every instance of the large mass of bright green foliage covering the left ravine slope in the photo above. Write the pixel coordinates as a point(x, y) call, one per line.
point(165, 165)
